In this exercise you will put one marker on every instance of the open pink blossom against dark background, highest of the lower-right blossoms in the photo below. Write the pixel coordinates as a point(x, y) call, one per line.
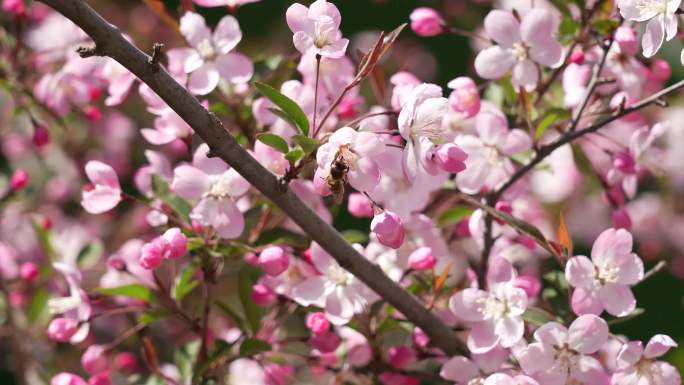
point(603, 282)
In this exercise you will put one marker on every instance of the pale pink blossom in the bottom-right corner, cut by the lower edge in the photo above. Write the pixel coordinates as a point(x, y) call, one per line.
point(638, 365)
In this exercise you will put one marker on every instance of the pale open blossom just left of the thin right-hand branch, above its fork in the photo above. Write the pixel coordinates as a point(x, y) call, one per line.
point(488, 162)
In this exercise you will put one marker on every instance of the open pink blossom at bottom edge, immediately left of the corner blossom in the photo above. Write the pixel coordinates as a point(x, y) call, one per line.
point(560, 354)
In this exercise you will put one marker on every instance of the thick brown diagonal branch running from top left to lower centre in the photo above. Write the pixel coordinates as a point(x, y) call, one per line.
point(110, 42)
